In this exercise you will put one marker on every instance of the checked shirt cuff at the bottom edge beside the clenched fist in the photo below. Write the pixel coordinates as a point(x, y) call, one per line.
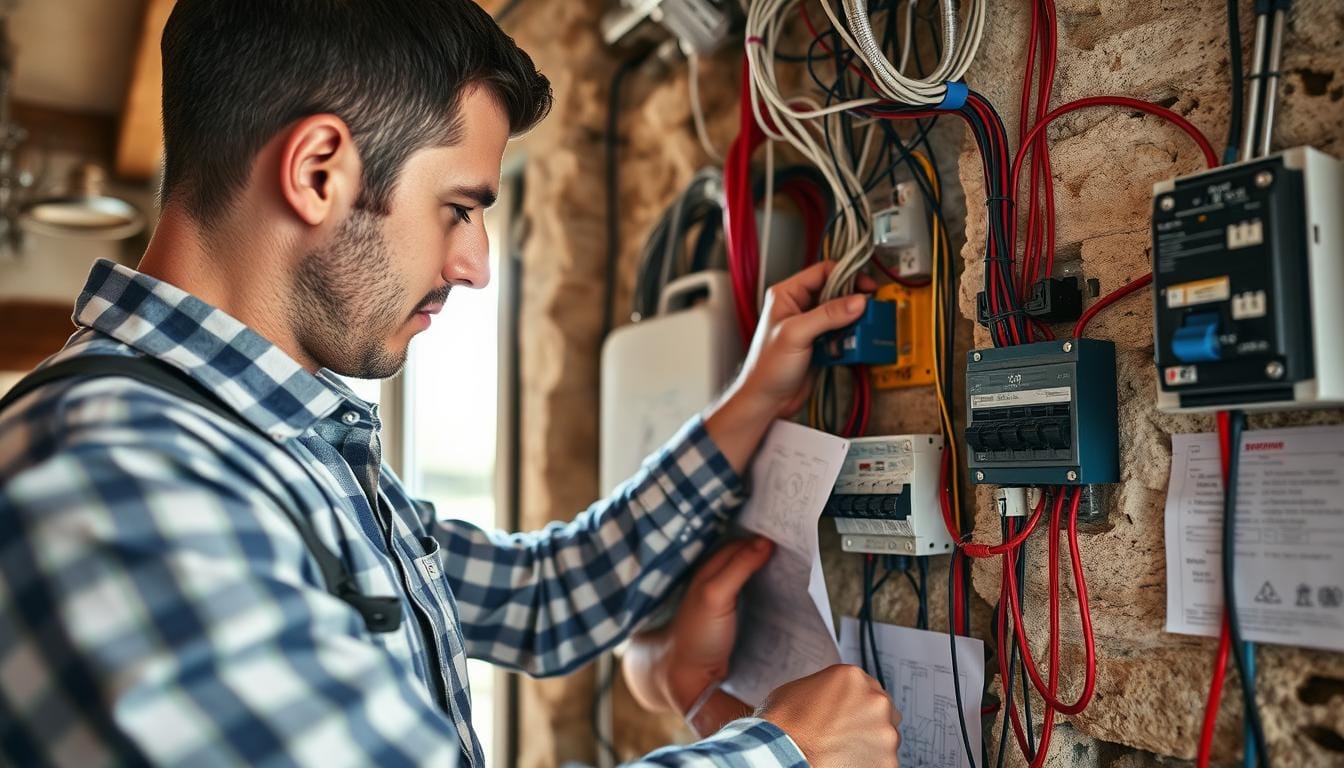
point(748, 742)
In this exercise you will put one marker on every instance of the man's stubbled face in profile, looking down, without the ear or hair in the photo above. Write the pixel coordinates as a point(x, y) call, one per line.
point(364, 295)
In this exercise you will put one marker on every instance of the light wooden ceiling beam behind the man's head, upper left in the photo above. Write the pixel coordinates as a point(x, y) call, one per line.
point(140, 145)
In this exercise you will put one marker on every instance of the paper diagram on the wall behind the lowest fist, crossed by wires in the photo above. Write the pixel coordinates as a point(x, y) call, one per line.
point(917, 669)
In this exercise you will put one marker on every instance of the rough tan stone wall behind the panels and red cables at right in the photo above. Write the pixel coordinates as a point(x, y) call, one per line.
point(1151, 685)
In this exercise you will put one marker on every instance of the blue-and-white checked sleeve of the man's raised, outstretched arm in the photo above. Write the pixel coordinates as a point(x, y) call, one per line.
point(549, 602)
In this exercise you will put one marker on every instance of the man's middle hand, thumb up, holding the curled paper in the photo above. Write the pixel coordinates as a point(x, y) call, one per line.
point(671, 668)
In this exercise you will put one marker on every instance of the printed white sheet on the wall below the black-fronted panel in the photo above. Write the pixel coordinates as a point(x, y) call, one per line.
point(1290, 537)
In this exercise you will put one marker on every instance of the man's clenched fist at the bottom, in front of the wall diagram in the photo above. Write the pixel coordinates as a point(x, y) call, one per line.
point(839, 719)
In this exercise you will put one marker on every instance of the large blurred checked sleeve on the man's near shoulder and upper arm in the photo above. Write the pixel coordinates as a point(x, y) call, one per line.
point(155, 607)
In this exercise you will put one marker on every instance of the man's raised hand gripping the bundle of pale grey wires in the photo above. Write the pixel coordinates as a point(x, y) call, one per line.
point(775, 379)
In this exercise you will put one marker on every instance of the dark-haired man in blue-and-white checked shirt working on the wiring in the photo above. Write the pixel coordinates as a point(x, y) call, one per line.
point(244, 583)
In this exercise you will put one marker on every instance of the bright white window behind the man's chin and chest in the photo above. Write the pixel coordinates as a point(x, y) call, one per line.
point(448, 431)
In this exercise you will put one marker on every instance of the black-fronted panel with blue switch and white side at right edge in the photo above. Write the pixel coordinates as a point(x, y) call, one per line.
point(1249, 286)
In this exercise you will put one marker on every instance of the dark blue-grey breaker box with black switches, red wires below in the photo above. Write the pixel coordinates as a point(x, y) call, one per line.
point(1044, 415)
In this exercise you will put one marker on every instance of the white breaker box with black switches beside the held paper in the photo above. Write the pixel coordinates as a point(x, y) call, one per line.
point(886, 500)
